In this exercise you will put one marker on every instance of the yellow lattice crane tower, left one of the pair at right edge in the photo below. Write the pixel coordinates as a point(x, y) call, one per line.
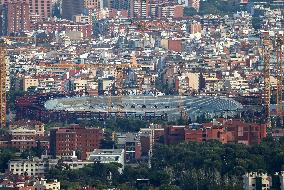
point(267, 85)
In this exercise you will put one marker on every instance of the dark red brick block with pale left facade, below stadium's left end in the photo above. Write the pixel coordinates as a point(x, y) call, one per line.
point(63, 141)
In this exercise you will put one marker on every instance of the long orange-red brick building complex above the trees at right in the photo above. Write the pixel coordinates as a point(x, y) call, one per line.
point(225, 131)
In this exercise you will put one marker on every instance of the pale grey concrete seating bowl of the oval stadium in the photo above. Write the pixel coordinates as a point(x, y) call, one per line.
point(154, 105)
